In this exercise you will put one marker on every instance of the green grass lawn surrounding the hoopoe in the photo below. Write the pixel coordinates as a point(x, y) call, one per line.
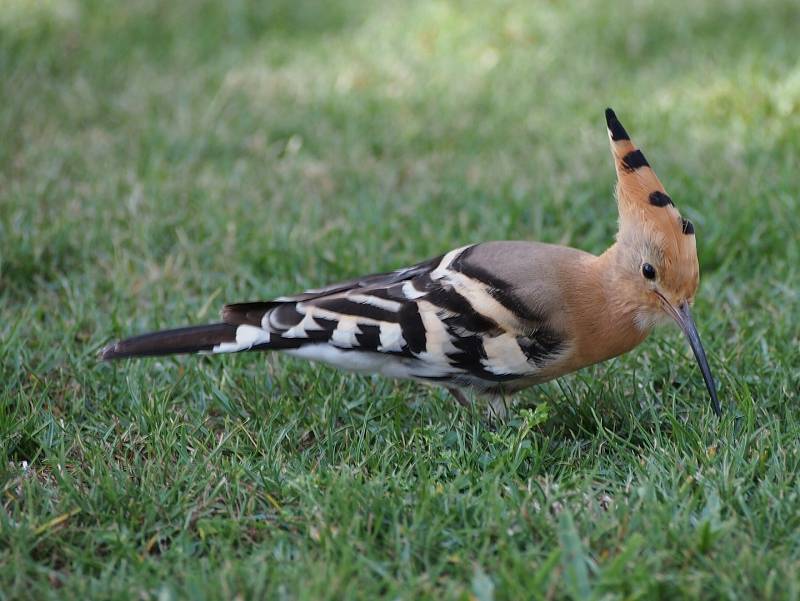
point(158, 159)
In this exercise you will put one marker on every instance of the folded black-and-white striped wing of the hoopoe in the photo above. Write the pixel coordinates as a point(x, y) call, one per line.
point(442, 320)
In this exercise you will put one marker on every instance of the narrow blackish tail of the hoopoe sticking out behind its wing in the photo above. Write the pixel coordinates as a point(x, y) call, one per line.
point(169, 342)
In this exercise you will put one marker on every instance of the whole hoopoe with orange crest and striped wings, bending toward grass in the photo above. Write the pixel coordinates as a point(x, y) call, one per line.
point(494, 317)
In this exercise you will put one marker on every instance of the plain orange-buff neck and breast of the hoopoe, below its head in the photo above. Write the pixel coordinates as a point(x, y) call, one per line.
point(605, 312)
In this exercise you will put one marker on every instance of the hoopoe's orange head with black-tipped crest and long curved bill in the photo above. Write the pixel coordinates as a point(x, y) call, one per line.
point(656, 250)
